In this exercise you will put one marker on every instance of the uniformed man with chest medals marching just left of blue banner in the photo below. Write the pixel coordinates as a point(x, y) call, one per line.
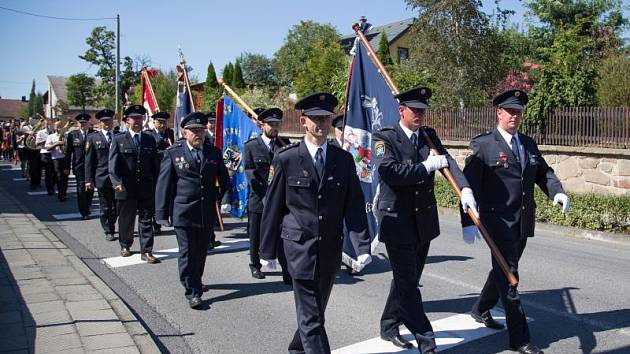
point(188, 174)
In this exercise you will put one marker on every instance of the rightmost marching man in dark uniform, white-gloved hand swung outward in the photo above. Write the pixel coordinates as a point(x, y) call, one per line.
point(502, 167)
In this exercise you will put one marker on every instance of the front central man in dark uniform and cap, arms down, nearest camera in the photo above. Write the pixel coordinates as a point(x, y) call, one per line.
point(314, 189)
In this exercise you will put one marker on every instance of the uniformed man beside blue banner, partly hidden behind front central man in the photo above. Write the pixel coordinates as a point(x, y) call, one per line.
point(257, 156)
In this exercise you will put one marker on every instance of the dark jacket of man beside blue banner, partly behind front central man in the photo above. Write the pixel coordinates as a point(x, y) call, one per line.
point(257, 161)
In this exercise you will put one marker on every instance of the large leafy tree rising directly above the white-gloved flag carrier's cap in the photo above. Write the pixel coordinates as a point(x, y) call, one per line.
point(459, 47)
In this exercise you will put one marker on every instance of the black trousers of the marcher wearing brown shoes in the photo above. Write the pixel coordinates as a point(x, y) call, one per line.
point(127, 210)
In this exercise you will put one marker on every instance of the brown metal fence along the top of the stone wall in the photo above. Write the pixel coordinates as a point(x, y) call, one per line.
point(583, 126)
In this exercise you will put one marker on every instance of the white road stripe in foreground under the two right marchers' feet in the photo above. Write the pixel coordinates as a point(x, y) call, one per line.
point(449, 332)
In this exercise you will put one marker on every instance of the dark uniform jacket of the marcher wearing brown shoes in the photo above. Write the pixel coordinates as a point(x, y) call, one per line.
point(134, 170)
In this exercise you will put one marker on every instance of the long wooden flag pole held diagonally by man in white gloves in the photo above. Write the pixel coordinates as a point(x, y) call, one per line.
point(496, 253)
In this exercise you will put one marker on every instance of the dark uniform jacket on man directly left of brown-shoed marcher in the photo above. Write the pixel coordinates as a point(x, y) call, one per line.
point(97, 160)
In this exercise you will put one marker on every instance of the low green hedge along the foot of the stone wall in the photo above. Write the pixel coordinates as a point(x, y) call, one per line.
point(588, 211)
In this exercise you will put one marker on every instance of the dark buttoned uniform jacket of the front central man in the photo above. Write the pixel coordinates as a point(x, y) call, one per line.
point(309, 217)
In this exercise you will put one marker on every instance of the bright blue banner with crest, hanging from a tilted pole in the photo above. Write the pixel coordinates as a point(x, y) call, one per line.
point(237, 129)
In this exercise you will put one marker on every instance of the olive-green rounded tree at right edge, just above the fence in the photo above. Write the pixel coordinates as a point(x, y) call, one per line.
point(613, 84)
